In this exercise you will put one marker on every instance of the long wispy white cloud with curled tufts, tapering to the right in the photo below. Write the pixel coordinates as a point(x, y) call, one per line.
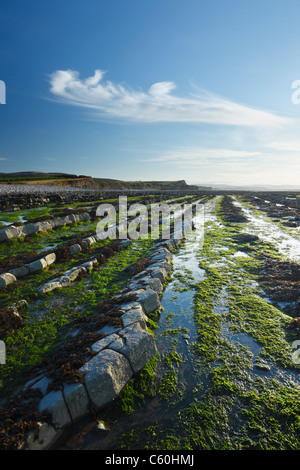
point(158, 104)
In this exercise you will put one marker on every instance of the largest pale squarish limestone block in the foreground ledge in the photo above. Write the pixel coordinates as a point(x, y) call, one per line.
point(105, 375)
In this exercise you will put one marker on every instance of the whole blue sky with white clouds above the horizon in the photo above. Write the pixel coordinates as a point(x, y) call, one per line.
point(205, 91)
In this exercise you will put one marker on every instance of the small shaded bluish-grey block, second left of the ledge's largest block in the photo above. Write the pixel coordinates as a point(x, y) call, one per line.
point(54, 402)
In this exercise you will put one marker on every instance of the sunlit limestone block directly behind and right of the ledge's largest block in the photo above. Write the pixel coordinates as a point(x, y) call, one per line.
point(138, 346)
